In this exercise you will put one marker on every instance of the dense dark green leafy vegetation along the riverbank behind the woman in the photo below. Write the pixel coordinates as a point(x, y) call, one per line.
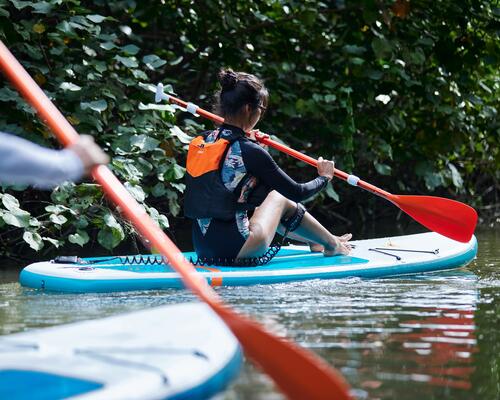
point(403, 94)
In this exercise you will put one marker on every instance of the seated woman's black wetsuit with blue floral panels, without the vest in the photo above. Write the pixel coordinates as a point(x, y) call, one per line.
point(250, 169)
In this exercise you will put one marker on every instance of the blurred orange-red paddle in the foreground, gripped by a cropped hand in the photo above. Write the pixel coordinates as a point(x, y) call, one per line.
point(299, 373)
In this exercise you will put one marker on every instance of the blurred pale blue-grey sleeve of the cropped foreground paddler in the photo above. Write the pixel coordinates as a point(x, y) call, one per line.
point(23, 162)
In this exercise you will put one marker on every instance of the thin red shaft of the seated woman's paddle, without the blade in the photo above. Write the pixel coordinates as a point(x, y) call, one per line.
point(266, 140)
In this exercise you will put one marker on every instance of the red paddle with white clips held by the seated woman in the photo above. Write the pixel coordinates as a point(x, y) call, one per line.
point(448, 217)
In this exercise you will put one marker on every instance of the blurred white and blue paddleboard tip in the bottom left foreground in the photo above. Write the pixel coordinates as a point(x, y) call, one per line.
point(179, 351)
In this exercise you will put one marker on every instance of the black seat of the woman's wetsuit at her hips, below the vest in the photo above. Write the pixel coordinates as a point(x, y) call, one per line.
point(222, 239)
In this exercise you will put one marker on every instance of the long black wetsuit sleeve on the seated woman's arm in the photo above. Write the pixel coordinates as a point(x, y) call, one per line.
point(260, 164)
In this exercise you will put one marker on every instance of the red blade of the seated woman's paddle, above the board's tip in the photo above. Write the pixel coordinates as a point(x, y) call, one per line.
point(447, 217)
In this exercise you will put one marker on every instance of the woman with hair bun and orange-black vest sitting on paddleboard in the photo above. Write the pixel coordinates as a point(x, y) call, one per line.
point(229, 174)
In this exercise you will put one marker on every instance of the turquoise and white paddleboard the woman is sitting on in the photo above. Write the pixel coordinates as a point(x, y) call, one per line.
point(373, 258)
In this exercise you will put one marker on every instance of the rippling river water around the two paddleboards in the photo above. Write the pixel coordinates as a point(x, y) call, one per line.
point(430, 336)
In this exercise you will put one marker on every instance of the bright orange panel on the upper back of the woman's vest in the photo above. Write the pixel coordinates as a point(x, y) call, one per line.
point(205, 157)
